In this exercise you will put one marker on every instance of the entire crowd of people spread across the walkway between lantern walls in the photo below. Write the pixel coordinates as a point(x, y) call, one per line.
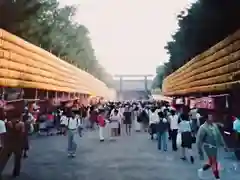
point(183, 127)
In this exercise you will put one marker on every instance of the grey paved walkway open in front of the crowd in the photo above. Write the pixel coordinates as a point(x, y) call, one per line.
point(129, 158)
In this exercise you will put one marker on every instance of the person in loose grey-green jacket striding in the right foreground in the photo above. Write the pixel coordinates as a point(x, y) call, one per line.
point(210, 139)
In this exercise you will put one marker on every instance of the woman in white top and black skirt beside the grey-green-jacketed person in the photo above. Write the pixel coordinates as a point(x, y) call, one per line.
point(186, 136)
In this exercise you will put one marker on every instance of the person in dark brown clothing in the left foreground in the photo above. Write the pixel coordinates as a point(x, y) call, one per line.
point(13, 143)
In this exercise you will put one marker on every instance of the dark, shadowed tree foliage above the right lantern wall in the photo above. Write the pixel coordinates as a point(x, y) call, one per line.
point(204, 24)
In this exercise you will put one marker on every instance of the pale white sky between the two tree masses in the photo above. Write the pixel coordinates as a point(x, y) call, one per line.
point(129, 35)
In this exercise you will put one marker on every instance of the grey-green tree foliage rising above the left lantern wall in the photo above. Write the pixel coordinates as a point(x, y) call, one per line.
point(46, 24)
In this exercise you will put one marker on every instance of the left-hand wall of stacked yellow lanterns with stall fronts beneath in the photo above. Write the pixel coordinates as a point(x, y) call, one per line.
point(31, 74)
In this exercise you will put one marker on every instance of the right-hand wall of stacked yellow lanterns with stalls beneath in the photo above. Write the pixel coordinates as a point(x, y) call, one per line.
point(211, 82)
